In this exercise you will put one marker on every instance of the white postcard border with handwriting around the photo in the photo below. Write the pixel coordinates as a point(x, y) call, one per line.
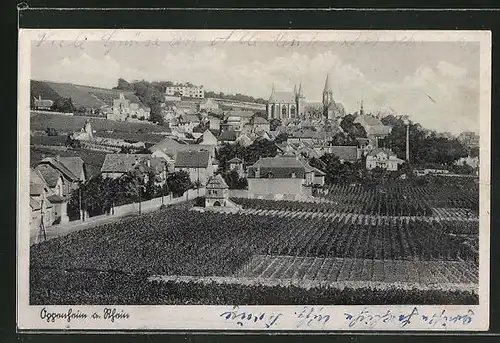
point(209, 317)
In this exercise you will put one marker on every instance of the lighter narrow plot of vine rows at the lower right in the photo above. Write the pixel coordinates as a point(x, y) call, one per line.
point(347, 269)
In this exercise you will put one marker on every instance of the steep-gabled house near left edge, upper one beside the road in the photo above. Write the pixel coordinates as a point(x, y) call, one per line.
point(71, 170)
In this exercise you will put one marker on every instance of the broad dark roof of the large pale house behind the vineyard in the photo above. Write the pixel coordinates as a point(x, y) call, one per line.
point(278, 167)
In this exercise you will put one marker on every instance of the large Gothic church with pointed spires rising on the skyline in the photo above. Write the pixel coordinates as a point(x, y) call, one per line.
point(286, 105)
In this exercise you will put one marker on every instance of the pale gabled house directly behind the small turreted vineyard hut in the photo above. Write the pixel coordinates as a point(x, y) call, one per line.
point(198, 164)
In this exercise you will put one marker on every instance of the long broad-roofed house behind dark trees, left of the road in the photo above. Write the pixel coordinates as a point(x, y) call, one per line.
point(117, 165)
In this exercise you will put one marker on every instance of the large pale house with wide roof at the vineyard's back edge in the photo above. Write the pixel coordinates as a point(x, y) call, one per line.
point(282, 177)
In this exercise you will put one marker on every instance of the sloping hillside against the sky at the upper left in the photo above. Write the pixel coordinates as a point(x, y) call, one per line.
point(82, 96)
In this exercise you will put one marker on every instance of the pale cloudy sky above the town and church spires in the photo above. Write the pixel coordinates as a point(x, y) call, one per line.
point(434, 83)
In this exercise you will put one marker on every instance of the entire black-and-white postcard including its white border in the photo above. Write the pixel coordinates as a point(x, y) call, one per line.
point(268, 177)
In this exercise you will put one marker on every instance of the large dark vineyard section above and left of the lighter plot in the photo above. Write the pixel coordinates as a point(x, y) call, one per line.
point(180, 242)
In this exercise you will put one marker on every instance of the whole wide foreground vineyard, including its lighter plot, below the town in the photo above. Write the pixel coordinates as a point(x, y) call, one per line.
point(173, 242)
